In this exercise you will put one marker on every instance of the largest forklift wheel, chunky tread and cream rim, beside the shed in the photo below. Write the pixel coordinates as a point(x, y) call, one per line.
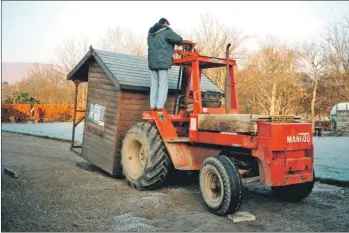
point(145, 162)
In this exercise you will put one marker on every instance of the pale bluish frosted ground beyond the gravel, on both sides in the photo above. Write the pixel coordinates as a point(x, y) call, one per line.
point(331, 153)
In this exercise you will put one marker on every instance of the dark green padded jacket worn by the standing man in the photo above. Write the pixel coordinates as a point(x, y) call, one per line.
point(161, 41)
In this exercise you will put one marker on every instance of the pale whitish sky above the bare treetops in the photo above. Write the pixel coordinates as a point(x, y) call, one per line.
point(32, 31)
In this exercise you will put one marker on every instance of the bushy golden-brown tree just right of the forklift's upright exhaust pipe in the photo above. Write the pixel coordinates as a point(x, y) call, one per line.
point(269, 83)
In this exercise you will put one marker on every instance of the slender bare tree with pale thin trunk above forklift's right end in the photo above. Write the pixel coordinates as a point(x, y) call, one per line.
point(314, 58)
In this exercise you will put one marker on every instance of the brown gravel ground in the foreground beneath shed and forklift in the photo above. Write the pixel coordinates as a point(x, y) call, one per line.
point(53, 194)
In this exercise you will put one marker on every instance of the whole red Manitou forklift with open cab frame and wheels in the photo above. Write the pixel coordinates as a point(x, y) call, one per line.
point(228, 148)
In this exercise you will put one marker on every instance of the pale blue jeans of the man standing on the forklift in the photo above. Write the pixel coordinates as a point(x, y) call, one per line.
point(158, 88)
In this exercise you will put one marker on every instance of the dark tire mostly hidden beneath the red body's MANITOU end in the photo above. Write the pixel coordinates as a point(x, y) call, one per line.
point(294, 192)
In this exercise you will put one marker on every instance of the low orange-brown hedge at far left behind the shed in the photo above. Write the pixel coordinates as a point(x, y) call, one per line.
point(41, 112)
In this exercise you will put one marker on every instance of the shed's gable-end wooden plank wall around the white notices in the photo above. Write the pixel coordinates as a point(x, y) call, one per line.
point(99, 141)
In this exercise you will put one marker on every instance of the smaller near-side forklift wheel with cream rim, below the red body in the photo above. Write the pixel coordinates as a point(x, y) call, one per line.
point(221, 185)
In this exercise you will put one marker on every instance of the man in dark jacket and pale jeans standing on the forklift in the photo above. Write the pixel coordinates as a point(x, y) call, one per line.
point(161, 42)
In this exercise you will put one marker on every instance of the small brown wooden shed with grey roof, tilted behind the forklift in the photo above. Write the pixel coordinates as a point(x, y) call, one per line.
point(118, 92)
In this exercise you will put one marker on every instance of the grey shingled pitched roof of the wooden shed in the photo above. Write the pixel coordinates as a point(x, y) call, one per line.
point(129, 71)
